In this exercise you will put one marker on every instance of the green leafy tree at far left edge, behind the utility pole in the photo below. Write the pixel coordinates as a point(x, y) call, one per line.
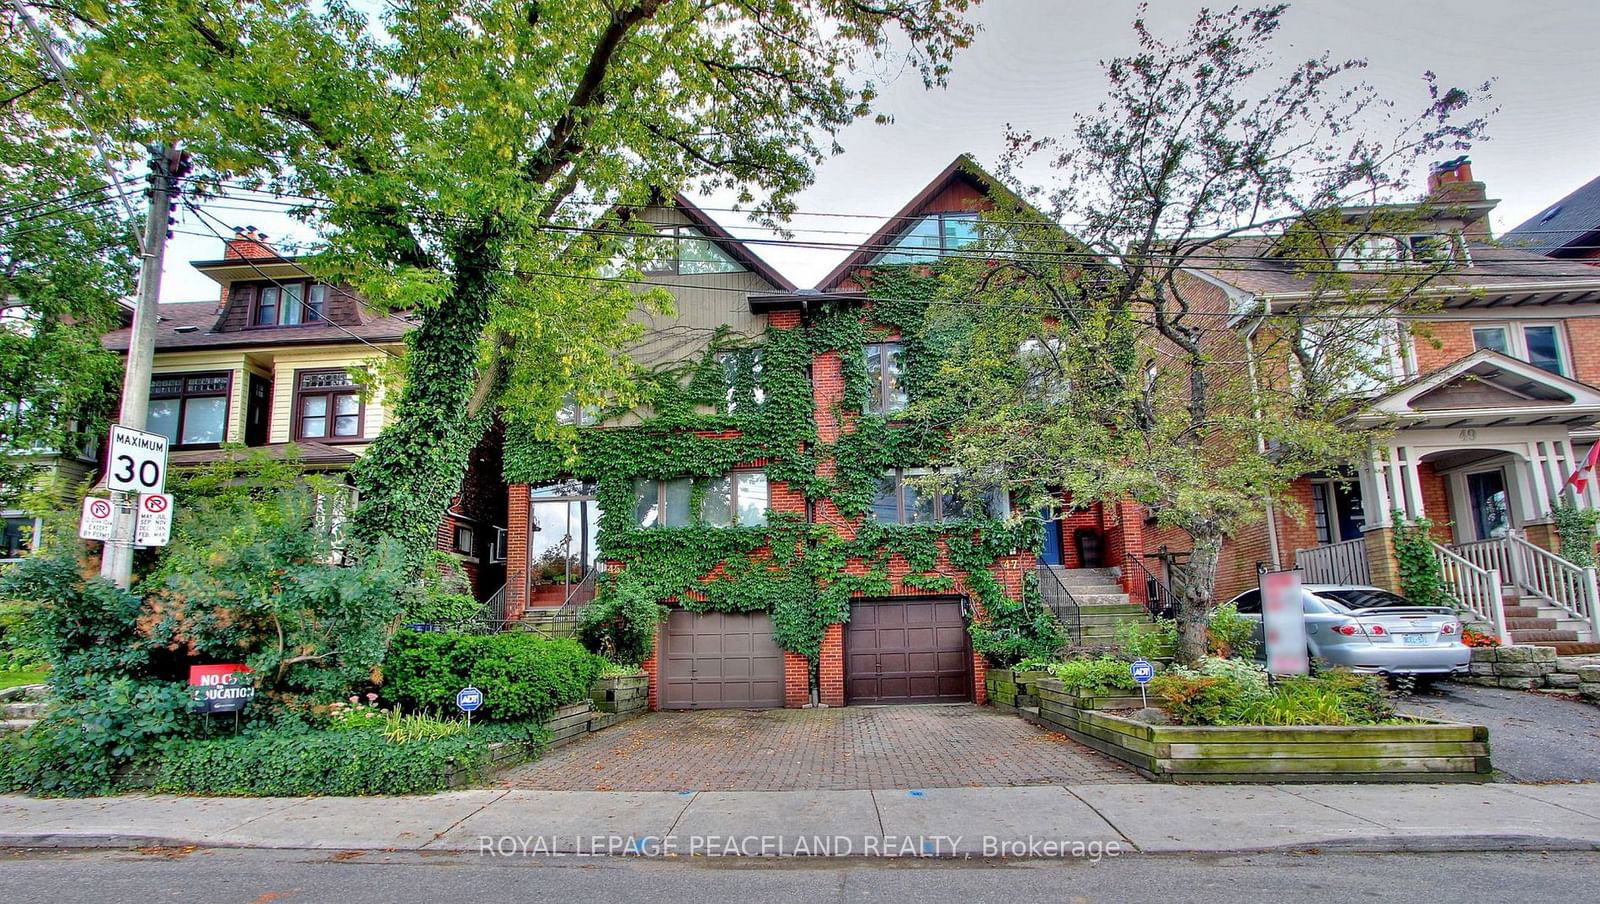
point(66, 258)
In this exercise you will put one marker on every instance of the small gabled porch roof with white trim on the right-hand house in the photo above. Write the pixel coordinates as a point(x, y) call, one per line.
point(1519, 394)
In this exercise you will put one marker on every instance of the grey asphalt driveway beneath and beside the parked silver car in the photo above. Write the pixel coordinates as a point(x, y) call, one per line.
point(1532, 737)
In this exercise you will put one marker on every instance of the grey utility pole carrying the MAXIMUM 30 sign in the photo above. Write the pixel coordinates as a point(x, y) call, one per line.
point(167, 167)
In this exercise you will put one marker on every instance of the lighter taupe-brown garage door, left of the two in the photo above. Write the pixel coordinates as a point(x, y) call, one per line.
point(721, 662)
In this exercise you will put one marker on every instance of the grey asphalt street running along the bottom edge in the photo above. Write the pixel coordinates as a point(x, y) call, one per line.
point(287, 878)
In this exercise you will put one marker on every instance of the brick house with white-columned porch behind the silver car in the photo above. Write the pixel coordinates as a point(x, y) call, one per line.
point(1494, 406)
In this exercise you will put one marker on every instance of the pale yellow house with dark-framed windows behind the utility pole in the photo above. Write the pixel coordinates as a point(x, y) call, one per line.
point(274, 362)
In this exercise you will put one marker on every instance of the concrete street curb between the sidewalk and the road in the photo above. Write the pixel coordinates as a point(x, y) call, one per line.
point(1367, 844)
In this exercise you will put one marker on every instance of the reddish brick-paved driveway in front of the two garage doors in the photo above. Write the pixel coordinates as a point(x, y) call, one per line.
point(801, 750)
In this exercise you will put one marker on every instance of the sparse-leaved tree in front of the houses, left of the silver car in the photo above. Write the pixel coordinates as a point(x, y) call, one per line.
point(1098, 364)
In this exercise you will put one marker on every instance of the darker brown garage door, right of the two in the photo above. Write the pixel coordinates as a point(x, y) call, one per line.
point(908, 652)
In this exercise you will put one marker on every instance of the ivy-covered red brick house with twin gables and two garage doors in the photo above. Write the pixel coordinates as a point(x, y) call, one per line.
point(903, 633)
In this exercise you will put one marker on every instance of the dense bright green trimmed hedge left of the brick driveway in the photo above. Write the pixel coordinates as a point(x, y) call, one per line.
point(522, 676)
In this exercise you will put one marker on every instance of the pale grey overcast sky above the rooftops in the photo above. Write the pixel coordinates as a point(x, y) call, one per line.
point(1038, 62)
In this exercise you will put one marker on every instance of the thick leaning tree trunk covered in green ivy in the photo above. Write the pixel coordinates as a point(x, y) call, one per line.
point(415, 468)
